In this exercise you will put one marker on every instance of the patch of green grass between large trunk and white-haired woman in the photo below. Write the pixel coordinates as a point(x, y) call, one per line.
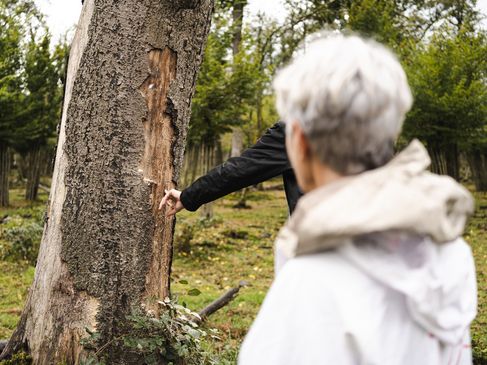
point(236, 246)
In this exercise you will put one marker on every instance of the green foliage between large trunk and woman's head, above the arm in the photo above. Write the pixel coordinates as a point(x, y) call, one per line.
point(231, 89)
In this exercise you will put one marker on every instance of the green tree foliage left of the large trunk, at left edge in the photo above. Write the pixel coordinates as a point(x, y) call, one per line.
point(30, 92)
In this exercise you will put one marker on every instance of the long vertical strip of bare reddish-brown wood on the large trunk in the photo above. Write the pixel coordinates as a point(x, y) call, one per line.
point(157, 166)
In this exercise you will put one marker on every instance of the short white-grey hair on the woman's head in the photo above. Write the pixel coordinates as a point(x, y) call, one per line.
point(350, 96)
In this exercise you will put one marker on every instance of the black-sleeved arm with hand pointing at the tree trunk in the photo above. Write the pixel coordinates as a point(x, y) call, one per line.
point(264, 160)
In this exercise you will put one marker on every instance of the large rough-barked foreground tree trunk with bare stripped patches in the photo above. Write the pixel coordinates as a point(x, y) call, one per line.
point(106, 248)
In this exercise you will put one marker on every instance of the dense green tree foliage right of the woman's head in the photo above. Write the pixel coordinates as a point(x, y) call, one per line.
point(448, 81)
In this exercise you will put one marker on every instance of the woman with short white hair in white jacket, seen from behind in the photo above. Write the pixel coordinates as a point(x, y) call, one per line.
point(370, 269)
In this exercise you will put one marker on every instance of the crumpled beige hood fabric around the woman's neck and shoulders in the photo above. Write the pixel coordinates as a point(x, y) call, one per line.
point(400, 196)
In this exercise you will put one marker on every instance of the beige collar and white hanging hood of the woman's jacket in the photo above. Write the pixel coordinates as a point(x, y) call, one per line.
point(399, 224)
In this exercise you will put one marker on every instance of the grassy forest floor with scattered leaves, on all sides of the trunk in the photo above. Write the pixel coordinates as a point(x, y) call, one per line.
point(213, 256)
